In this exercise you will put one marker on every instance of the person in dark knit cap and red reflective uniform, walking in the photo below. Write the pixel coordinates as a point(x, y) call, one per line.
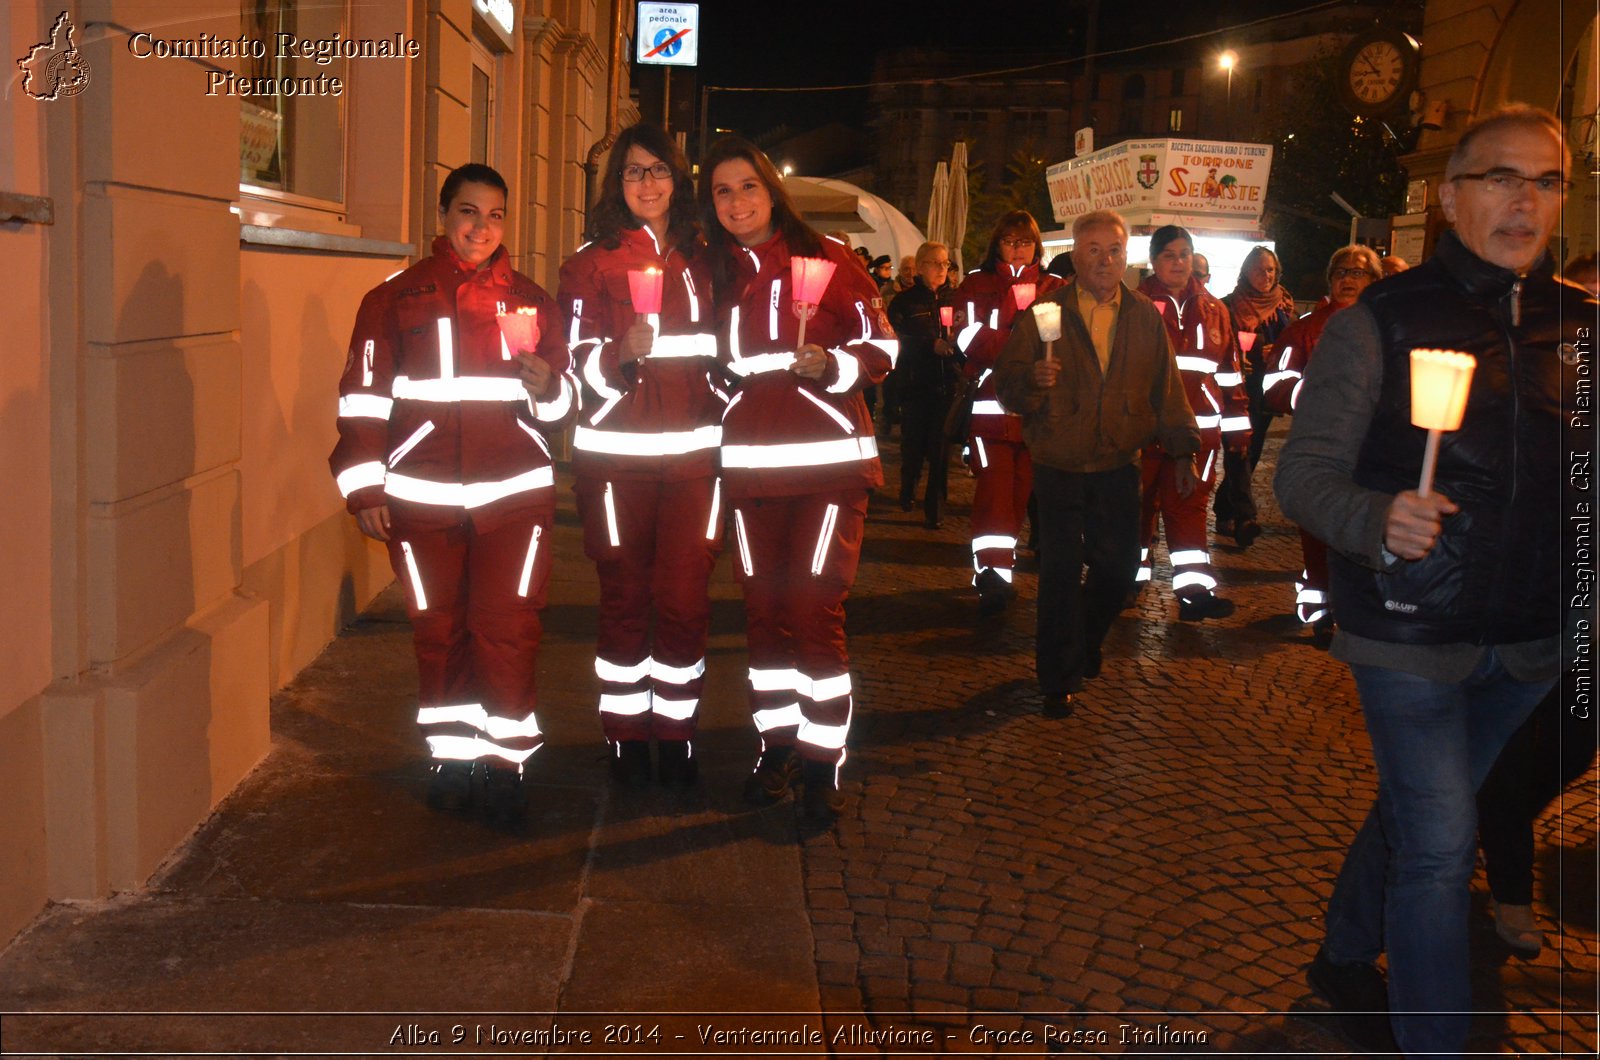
point(1209, 361)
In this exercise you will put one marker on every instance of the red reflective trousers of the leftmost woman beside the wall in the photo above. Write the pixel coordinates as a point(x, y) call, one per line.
point(474, 601)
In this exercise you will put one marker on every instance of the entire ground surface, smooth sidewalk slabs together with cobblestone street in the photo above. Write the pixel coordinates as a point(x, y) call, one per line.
point(1145, 878)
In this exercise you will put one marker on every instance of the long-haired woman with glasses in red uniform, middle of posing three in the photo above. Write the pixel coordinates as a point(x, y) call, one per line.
point(646, 451)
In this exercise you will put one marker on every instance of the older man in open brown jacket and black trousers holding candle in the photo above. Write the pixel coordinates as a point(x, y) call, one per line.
point(1090, 401)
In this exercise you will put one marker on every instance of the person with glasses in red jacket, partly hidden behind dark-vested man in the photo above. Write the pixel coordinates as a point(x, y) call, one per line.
point(1350, 271)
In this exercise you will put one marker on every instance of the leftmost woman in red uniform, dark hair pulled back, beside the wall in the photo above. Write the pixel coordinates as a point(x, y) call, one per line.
point(442, 456)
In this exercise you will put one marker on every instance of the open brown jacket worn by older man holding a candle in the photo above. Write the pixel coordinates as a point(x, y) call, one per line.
point(1094, 422)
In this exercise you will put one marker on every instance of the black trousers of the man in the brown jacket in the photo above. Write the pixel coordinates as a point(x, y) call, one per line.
point(1084, 520)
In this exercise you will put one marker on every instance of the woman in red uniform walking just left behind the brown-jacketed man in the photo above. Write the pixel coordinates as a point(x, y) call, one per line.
point(999, 459)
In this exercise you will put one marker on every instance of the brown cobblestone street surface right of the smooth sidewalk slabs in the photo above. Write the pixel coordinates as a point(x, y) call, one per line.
point(1167, 849)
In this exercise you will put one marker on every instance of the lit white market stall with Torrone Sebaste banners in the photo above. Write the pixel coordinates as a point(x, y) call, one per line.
point(1215, 190)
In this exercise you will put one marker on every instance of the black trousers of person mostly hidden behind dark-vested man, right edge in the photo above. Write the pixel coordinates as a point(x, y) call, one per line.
point(1553, 749)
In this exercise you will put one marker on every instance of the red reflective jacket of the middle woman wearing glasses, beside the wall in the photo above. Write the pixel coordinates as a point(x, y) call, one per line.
point(660, 417)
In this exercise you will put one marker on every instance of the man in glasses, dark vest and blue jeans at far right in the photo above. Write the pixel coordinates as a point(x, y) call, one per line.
point(1450, 612)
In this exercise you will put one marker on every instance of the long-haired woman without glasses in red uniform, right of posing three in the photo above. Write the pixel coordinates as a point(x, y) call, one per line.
point(799, 460)
